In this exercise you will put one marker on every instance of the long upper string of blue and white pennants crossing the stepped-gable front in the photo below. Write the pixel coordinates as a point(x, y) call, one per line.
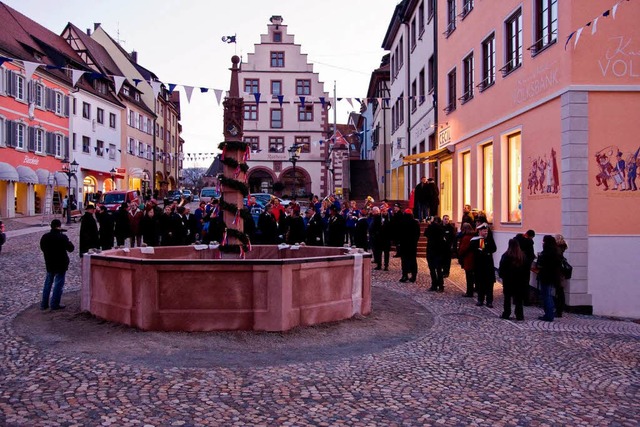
point(156, 86)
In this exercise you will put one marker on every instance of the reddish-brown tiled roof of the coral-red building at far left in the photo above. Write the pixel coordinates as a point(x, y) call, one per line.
point(25, 39)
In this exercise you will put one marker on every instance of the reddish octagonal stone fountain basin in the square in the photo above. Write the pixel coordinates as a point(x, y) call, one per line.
point(186, 288)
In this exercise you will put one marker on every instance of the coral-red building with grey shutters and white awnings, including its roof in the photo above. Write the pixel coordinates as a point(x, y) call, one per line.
point(34, 112)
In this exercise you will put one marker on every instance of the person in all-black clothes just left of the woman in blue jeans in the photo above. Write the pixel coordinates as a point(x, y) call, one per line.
point(512, 267)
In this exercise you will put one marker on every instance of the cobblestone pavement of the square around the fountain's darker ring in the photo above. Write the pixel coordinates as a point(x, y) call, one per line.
point(468, 368)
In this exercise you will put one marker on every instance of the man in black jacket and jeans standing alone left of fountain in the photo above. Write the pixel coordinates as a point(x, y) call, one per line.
point(55, 245)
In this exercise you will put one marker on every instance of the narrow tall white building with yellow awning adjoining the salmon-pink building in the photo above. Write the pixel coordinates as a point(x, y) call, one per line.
point(411, 44)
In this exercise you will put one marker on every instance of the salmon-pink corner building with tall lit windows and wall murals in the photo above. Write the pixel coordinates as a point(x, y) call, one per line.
point(543, 136)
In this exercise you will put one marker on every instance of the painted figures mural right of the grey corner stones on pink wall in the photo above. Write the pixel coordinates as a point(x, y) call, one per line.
point(617, 170)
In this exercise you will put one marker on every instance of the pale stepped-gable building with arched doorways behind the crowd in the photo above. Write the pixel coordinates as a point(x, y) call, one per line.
point(286, 106)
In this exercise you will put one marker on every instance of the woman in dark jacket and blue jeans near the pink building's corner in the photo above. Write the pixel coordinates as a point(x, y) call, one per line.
point(548, 266)
